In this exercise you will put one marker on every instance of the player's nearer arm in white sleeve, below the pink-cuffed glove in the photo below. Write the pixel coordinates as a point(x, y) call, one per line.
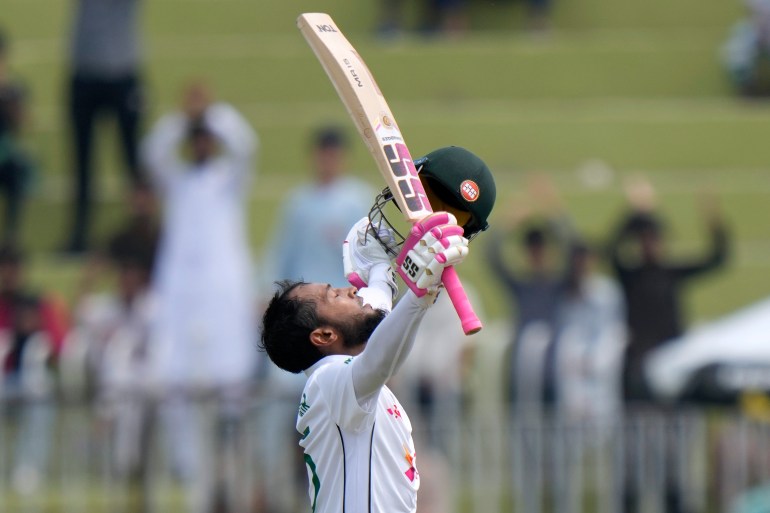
point(388, 347)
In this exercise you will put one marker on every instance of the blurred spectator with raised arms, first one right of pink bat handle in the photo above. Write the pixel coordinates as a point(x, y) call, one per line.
point(536, 292)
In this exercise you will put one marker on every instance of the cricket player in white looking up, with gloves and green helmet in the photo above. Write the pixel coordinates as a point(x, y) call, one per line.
point(357, 439)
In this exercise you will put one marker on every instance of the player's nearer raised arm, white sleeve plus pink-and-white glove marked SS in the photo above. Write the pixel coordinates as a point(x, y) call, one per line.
point(433, 244)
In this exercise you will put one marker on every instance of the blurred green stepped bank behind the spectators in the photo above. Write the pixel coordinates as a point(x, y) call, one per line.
point(634, 87)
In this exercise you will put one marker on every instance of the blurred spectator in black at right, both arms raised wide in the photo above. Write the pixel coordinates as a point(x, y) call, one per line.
point(653, 283)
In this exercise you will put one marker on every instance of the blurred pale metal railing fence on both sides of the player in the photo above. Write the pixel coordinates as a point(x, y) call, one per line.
point(238, 453)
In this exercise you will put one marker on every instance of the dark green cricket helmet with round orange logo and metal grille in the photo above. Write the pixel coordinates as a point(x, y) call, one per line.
point(456, 181)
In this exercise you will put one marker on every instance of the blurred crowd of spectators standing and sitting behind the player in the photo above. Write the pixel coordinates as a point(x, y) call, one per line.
point(167, 308)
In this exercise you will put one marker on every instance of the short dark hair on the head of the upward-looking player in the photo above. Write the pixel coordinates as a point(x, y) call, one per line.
point(286, 327)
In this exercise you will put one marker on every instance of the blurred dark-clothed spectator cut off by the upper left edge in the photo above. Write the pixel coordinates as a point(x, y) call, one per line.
point(16, 167)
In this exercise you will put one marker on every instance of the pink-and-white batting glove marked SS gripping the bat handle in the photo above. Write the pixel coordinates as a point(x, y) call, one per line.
point(433, 244)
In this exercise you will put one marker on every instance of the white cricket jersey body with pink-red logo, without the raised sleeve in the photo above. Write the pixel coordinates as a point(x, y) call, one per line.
point(359, 460)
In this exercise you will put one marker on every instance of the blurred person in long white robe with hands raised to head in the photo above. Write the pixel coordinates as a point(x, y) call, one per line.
point(203, 278)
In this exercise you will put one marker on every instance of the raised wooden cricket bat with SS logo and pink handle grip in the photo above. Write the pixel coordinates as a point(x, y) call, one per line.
point(375, 122)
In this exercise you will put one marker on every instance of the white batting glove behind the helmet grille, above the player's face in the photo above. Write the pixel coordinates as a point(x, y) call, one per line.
point(362, 252)
